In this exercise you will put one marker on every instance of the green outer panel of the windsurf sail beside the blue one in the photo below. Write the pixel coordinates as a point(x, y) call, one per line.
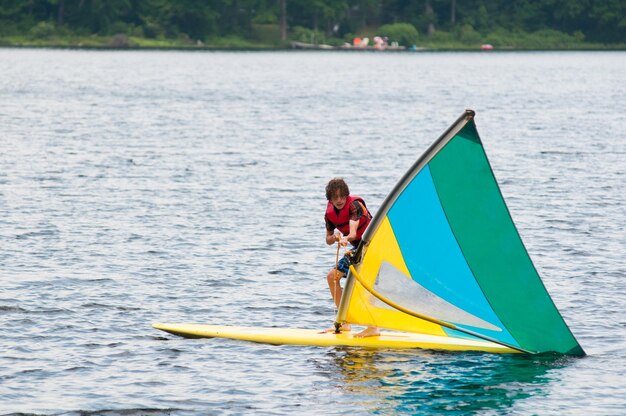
point(486, 234)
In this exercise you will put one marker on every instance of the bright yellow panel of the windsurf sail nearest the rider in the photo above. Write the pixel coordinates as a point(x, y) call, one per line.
point(364, 308)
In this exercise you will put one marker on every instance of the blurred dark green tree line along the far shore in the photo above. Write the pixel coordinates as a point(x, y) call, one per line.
point(602, 21)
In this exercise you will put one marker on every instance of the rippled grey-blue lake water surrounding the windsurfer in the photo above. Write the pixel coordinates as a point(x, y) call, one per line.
point(138, 187)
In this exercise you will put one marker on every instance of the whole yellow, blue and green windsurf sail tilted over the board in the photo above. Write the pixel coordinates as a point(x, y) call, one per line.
point(442, 256)
